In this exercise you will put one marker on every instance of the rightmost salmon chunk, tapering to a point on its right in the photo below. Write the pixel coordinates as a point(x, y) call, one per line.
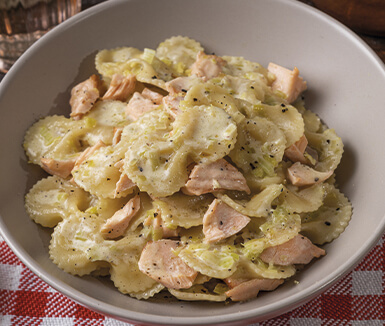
point(303, 175)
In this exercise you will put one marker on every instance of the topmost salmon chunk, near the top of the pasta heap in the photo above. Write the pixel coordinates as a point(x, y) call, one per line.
point(207, 66)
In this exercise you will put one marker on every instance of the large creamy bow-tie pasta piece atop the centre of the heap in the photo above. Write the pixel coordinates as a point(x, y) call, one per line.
point(158, 156)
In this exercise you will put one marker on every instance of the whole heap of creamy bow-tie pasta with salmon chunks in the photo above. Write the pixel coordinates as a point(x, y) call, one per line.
point(187, 172)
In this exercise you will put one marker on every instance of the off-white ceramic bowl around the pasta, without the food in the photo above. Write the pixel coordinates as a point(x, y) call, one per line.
point(346, 88)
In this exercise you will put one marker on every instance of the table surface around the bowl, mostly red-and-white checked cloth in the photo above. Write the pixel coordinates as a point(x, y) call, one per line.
point(358, 299)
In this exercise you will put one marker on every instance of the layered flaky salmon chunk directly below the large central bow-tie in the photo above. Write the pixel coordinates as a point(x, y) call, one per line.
point(219, 175)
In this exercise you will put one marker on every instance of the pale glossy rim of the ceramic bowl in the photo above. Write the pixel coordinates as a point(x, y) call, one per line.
point(262, 313)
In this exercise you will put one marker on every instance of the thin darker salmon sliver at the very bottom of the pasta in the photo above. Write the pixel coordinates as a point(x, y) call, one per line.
point(250, 289)
